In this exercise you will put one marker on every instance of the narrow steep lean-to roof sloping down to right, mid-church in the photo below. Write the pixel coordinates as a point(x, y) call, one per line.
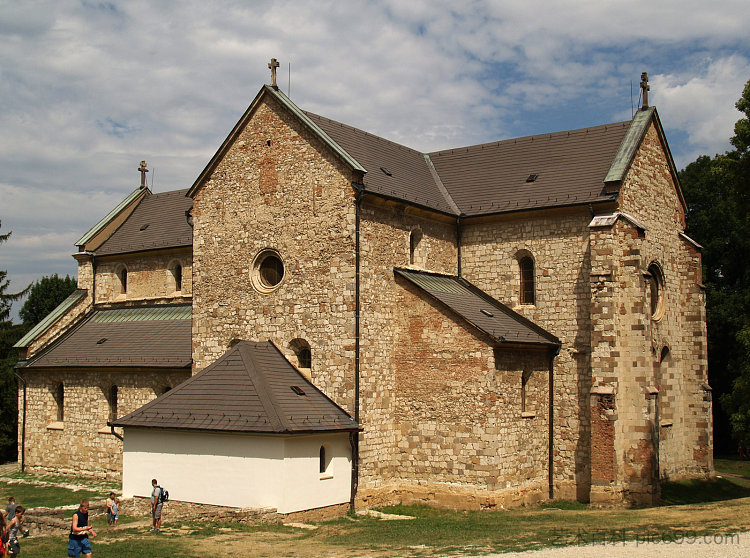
point(479, 309)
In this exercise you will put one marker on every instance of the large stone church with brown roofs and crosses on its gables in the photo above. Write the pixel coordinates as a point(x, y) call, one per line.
point(500, 323)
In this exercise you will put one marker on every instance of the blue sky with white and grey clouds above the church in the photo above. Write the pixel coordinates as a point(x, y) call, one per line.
point(88, 89)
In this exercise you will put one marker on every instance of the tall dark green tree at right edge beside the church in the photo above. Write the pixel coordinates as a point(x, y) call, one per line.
point(718, 191)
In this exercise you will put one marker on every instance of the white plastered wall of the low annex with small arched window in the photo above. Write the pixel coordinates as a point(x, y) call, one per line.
point(237, 470)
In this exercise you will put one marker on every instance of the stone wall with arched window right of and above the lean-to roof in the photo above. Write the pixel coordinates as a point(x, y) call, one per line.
point(557, 240)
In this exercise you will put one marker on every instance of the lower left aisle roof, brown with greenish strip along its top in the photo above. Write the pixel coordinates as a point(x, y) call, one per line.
point(152, 337)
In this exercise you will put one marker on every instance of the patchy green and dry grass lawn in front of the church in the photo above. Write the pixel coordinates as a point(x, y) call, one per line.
point(691, 508)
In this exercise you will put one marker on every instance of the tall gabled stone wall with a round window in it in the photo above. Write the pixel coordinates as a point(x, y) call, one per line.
point(278, 188)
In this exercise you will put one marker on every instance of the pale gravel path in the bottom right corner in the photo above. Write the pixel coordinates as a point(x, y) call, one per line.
point(710, 546)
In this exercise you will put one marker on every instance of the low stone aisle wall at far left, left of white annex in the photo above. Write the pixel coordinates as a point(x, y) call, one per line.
point(82, 444)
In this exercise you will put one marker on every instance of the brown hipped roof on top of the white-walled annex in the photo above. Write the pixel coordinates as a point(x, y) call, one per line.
point(251, 388)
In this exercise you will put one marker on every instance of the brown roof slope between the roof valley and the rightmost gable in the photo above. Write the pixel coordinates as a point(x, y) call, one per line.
point(570, 168)
